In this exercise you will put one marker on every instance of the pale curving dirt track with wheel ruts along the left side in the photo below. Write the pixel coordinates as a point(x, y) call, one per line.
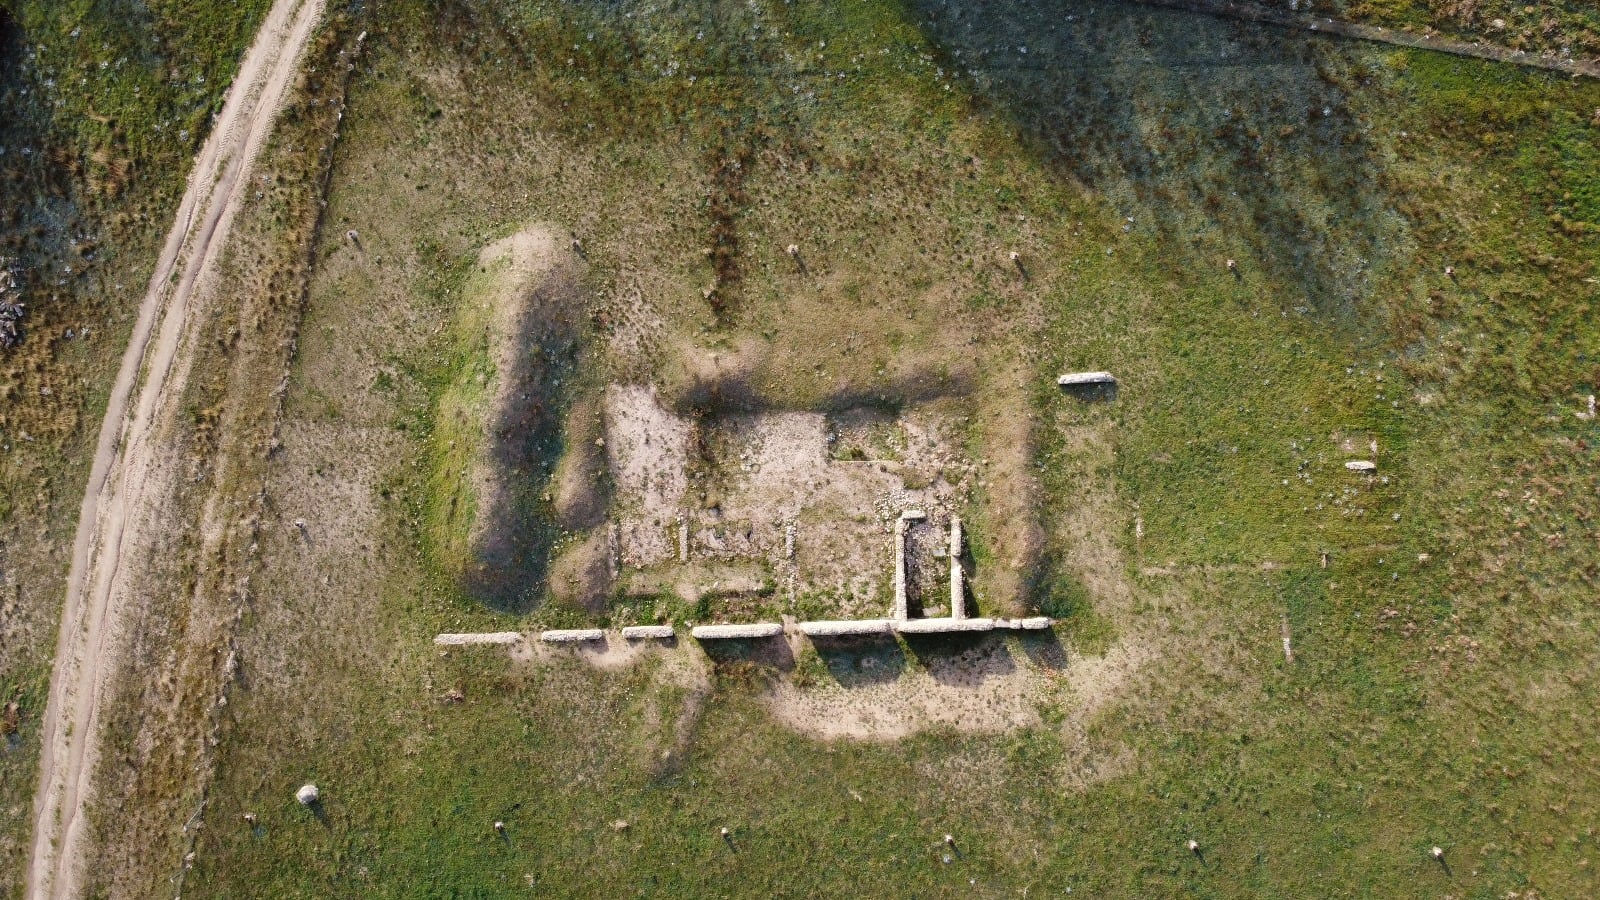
point(124, 456)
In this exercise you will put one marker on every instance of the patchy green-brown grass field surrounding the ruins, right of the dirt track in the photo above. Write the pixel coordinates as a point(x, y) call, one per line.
point(1441, 613)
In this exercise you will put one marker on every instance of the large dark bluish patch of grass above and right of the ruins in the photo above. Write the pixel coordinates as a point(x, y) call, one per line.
point(1228, 140)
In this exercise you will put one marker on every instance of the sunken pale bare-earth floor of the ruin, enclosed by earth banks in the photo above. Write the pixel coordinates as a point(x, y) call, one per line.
point(796, 505)
